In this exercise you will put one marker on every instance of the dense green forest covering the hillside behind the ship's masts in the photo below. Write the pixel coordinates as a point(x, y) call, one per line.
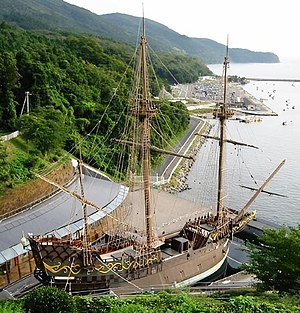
point(74, 81)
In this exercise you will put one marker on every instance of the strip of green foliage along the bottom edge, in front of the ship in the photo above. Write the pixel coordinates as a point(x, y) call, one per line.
point(52, 300)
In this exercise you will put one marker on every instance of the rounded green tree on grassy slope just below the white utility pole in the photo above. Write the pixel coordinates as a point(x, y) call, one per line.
point(46, 128)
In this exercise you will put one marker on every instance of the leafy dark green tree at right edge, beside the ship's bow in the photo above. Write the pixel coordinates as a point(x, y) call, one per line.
point(276, 259)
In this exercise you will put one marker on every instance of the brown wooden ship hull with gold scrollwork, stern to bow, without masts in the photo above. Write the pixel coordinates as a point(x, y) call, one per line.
point(125, 265)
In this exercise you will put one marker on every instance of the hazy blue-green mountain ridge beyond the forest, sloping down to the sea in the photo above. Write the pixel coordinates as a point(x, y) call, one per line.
point(57, 15)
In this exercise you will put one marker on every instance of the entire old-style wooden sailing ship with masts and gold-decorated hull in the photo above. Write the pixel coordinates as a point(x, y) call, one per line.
point(124, 258)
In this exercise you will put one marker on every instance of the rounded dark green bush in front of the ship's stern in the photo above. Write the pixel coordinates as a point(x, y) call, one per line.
point(48, 300)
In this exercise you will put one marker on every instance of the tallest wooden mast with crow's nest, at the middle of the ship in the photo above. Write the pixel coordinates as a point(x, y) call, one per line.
point(145, 111)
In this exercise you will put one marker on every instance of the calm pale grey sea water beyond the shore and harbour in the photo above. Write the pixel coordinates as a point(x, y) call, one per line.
point(277, 139)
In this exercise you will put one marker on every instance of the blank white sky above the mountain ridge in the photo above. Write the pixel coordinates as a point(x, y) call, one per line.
point(257, 25)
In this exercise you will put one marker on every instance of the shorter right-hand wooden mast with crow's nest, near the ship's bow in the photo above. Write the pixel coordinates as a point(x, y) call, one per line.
point(222, 113)
